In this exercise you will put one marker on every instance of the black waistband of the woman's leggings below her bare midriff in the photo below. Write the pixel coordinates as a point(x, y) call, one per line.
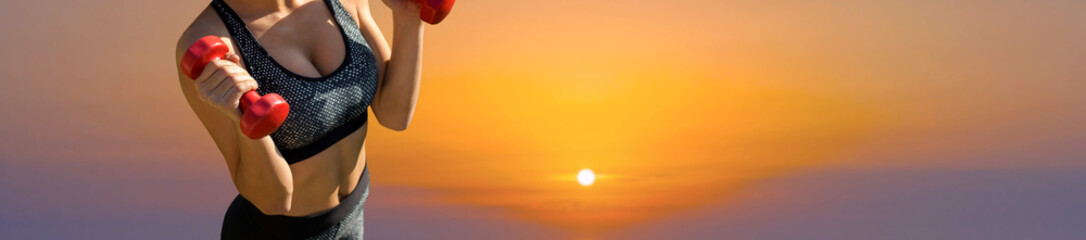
point(300, 228)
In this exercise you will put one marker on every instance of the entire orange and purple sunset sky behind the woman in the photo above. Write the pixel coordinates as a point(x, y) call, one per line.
point(703, 120)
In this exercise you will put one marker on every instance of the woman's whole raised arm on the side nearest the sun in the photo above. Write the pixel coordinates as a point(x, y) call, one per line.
point(398, 91)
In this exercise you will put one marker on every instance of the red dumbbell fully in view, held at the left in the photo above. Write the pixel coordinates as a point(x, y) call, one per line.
point(262, 116)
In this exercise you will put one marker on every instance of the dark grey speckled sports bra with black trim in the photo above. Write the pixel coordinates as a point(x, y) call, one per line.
point(323, 110)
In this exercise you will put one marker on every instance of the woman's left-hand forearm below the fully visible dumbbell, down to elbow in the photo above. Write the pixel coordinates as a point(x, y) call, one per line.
point(263, 176)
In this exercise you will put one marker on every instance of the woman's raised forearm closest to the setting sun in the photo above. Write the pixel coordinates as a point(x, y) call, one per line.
point(400, 87)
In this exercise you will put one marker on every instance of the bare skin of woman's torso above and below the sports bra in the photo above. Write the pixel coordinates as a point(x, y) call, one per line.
point(308, 42)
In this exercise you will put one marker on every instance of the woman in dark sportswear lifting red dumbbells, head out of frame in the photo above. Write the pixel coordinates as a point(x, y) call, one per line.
point(330, 61)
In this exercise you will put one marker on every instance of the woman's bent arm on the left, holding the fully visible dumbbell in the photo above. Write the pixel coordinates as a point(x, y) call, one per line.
point(259, 172)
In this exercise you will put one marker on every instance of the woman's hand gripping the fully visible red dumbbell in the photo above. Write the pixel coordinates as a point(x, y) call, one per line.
point(222, 84)
